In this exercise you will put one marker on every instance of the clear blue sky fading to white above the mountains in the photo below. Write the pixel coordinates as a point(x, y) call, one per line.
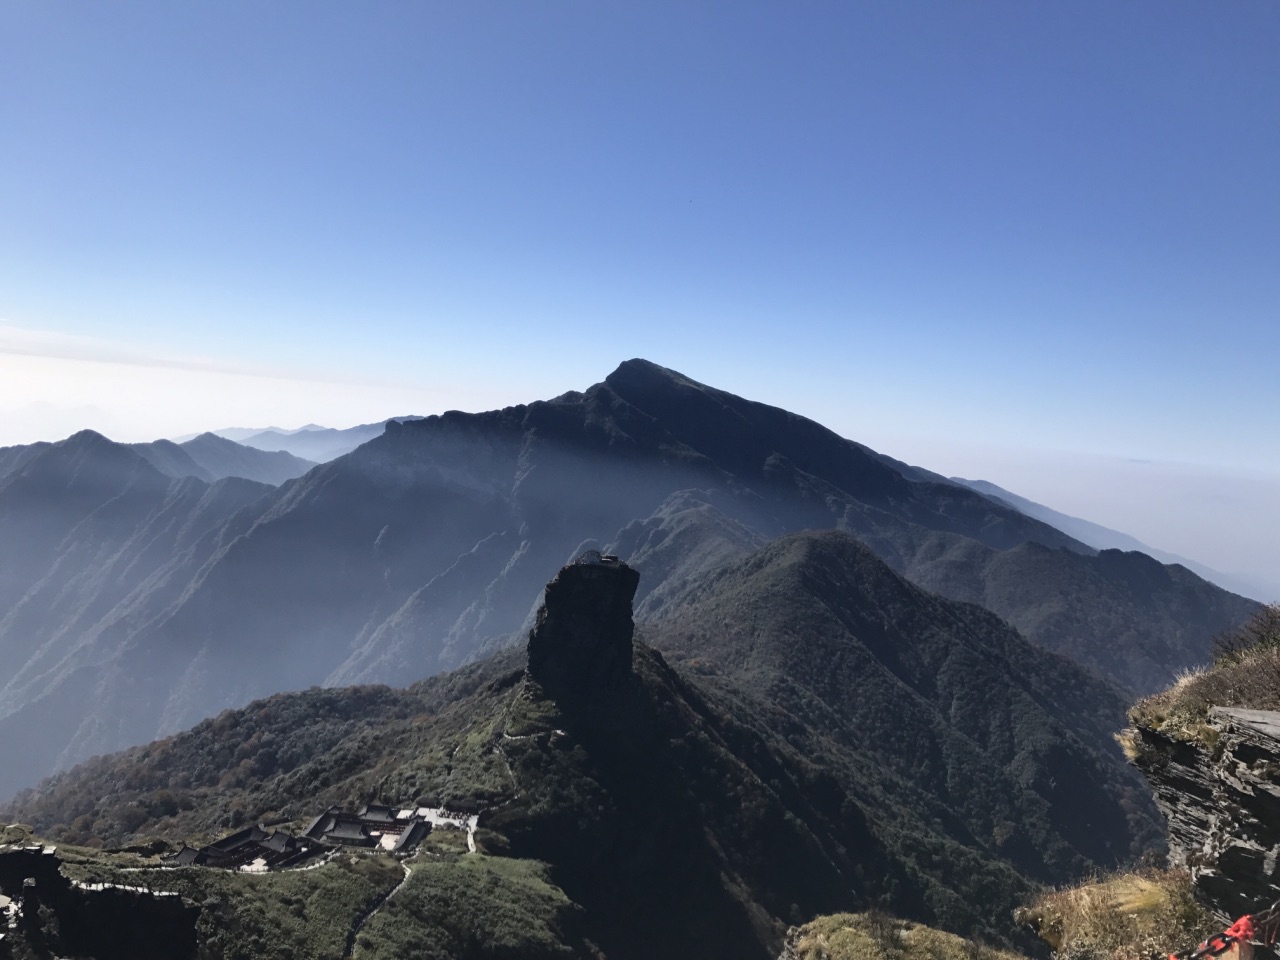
point(980, 236)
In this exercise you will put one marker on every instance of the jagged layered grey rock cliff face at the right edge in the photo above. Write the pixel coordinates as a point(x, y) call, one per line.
point(1220, 793)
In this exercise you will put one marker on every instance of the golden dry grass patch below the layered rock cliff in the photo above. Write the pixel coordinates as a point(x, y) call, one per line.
point(1128, 917)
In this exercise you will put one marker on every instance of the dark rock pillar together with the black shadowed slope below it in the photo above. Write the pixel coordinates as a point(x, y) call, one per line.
point(679, 828)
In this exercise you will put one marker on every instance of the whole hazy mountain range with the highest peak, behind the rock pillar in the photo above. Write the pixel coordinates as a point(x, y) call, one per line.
point(431, 543)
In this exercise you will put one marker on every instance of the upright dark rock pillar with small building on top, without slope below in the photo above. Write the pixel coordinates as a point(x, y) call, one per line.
point(582, 643)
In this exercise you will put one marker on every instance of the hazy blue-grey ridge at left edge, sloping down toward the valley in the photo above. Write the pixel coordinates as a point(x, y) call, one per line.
point(89, 528)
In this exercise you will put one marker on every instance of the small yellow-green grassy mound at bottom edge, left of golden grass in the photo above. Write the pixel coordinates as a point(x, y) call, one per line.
point(877, 936)
